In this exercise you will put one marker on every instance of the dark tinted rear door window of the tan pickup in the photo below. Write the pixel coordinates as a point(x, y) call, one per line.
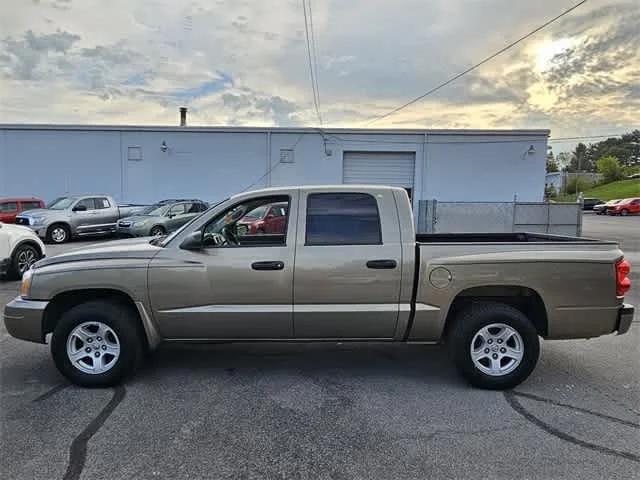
point(342, 219)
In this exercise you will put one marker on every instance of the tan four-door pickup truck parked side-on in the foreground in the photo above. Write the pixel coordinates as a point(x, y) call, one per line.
point(346, 265)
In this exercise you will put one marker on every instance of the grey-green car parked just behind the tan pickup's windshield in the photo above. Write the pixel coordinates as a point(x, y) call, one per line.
point(160, 218)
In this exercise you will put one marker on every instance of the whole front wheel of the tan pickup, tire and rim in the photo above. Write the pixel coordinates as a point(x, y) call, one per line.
point(97, 343)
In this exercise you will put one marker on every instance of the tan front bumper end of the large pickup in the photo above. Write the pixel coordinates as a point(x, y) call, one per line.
point(24, 319)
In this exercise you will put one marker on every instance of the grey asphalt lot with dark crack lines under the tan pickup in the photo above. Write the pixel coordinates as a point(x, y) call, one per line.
point(329, 411)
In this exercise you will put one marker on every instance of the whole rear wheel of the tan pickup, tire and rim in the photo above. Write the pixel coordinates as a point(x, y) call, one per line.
point(494, 345)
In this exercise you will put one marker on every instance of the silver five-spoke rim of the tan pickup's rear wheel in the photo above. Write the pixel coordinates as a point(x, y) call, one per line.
point(497, 349)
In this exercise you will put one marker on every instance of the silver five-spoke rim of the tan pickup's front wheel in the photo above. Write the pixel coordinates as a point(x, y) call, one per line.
point(93, 348)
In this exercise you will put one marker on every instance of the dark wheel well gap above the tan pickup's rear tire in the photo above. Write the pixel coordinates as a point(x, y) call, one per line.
point(525, 299)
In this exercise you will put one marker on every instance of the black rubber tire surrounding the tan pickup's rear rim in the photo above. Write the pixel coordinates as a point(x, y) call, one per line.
point(470, 321)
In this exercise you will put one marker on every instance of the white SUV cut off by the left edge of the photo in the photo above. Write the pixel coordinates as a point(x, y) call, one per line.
point(20, 248)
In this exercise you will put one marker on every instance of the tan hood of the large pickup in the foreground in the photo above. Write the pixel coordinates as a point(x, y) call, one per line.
point(131, 248)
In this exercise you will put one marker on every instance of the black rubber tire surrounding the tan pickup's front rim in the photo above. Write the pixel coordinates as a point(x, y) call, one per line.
point(121, 319)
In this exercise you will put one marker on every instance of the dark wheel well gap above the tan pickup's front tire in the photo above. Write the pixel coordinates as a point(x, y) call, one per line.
point(67, 300)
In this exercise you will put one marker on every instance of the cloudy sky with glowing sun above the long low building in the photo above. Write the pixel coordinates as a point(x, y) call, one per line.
point(241, 62)
